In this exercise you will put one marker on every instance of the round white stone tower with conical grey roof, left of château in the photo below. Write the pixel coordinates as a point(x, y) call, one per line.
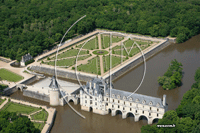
point(54, 92)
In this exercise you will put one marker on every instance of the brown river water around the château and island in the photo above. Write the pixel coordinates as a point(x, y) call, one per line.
point(187, 53)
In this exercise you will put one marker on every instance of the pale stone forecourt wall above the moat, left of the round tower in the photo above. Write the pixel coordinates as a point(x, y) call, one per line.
point(36, 95)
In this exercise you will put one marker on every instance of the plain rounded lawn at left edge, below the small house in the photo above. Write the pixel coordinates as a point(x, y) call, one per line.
point(9, 76)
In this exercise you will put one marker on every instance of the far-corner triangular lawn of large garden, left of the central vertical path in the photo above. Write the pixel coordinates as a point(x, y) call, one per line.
point(90, 45)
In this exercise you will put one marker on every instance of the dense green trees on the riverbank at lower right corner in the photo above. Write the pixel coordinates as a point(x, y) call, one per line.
point(186, 117)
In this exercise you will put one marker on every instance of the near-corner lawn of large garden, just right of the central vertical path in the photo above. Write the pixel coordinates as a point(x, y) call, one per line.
point(115, 61)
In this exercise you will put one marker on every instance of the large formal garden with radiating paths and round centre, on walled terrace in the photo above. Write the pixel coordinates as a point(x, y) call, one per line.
point(94, 51)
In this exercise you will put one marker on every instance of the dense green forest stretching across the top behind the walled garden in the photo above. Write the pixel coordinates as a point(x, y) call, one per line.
point(31, 26)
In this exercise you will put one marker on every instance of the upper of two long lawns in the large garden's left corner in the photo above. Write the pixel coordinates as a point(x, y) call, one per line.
point(69, 53)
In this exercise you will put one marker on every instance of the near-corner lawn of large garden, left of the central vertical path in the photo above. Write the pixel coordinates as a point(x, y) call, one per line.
point(91, 67)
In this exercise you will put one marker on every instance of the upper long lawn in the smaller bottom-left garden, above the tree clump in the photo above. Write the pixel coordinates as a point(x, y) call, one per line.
point(19, 108)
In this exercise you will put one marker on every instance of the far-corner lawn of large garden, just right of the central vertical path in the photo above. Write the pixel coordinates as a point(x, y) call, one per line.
point(105, 40)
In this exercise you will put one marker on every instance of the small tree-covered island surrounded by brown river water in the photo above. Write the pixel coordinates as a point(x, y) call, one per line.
point(172, 78)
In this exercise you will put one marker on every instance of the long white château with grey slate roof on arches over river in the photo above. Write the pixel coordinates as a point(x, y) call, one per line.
point(96, 97)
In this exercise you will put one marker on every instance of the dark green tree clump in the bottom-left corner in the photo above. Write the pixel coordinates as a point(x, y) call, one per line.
point(10, 122)
